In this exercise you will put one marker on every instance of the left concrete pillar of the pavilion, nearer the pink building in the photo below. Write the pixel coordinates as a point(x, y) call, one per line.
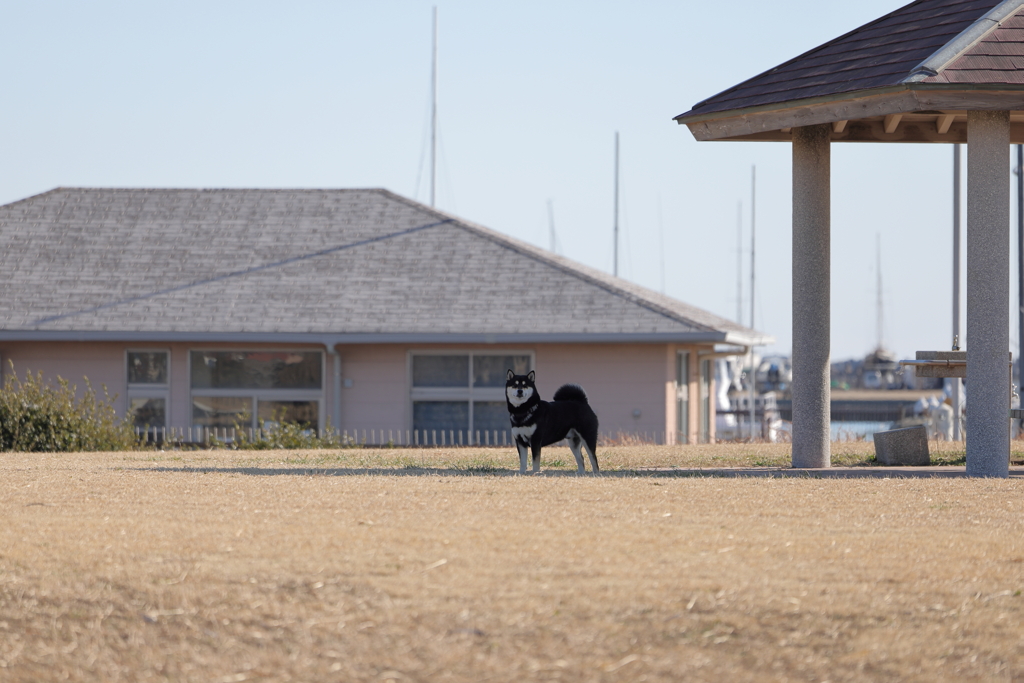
point(812, 291)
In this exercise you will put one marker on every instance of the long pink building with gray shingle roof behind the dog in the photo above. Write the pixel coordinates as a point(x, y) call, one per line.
point(352, 310)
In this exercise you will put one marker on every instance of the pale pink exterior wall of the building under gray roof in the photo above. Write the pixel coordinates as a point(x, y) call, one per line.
point(630, 387)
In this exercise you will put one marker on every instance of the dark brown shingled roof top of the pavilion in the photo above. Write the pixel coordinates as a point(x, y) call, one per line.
point(883, 54)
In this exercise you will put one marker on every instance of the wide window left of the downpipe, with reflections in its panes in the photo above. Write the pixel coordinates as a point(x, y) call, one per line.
point(253, 389)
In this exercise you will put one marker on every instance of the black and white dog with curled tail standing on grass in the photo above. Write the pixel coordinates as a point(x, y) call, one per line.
point(539, 423)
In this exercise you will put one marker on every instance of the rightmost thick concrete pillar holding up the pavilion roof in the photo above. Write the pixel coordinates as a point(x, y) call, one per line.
point(988, 294)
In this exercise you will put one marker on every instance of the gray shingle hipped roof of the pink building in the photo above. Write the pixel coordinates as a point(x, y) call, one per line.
point(355, 264)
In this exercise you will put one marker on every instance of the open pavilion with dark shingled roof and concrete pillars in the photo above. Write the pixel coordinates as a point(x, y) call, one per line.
point(934, 71)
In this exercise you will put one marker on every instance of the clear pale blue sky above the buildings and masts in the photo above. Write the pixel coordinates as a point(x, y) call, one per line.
point(336, 95)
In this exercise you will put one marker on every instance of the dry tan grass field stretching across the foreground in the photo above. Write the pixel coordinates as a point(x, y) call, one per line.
point(433, 566)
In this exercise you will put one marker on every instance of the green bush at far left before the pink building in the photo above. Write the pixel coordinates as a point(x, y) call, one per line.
point(39, 417)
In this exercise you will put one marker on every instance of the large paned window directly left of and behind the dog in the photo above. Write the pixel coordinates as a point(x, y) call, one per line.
point(463, 394)
